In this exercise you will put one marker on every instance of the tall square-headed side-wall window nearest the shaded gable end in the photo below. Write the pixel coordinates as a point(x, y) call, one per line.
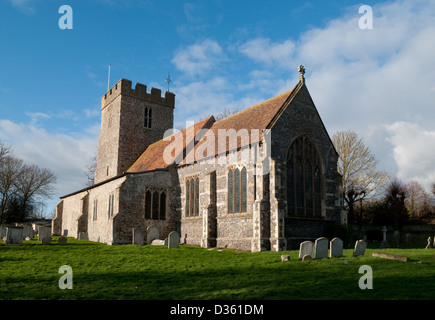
point(237, 190)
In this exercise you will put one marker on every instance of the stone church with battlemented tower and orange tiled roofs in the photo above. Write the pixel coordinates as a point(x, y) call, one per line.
point(264, 178)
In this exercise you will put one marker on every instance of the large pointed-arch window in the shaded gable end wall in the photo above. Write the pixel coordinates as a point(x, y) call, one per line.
point(304, 191)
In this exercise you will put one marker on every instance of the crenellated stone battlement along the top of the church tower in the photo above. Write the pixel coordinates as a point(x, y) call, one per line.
point(124, 87)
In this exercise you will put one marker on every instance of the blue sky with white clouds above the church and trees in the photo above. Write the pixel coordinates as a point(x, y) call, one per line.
point(221, 55)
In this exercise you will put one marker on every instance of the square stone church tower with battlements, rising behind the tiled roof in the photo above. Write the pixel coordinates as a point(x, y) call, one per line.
point(131, 120)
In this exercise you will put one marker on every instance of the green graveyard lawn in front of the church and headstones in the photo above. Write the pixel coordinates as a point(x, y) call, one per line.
point(129, 272)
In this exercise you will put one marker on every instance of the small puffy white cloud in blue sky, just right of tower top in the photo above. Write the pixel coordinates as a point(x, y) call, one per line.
point(198, 58)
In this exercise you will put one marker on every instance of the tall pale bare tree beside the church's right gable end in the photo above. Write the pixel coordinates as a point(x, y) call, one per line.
point(357, 166)
